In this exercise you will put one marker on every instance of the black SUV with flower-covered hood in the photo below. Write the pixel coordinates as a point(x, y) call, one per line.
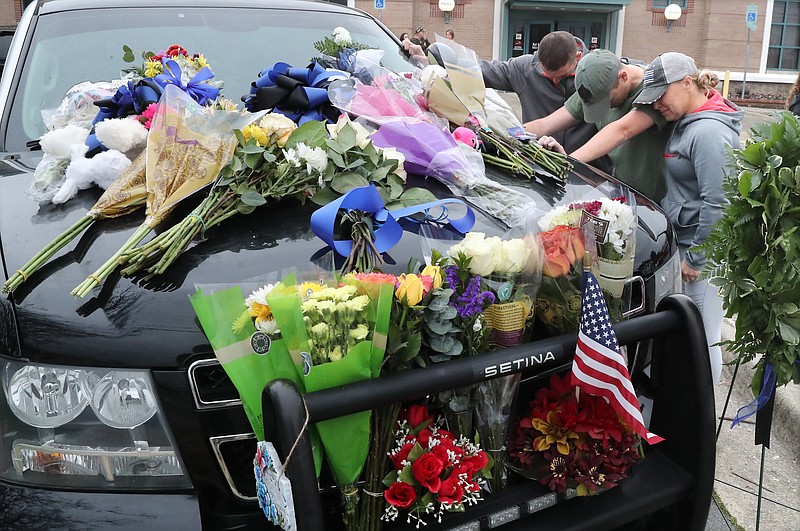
point(189, 466)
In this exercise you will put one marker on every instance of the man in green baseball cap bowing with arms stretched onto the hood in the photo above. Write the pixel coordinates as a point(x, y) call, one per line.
point(633, 137)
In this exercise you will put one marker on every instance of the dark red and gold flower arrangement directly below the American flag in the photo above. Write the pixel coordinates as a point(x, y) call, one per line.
point(573, 442)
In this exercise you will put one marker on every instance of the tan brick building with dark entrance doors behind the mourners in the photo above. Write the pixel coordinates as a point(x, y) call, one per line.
point(714, 32)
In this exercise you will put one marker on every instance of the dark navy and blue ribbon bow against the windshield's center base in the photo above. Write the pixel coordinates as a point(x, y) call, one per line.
point(300, 94)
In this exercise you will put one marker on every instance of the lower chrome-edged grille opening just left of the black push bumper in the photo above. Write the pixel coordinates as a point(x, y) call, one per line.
point(235, 454)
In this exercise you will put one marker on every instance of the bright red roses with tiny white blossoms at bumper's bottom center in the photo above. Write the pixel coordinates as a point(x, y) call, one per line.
point(433, 471)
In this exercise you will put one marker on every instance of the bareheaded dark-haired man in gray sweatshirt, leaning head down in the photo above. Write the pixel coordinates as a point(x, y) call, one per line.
point(543, 81)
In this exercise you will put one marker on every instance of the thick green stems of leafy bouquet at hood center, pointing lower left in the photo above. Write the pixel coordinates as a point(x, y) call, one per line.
point(239, 193)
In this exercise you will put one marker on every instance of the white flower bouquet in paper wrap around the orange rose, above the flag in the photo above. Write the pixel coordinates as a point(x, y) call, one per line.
point(613, 222)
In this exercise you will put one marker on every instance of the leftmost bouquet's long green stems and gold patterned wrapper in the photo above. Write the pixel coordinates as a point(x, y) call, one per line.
point(126, 194)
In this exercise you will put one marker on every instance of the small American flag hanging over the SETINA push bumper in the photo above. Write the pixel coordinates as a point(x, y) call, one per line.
point(599, 368)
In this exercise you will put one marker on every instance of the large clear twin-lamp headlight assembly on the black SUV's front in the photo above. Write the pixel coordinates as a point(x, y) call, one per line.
point(119, 441)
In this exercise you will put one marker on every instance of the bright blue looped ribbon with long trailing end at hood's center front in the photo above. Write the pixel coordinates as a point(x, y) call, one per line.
point(367, 199)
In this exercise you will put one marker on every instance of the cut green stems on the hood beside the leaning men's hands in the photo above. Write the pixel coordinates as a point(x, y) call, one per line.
point(522, 157)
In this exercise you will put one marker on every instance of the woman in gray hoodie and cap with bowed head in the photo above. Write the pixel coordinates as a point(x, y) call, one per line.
point(706, 124)
